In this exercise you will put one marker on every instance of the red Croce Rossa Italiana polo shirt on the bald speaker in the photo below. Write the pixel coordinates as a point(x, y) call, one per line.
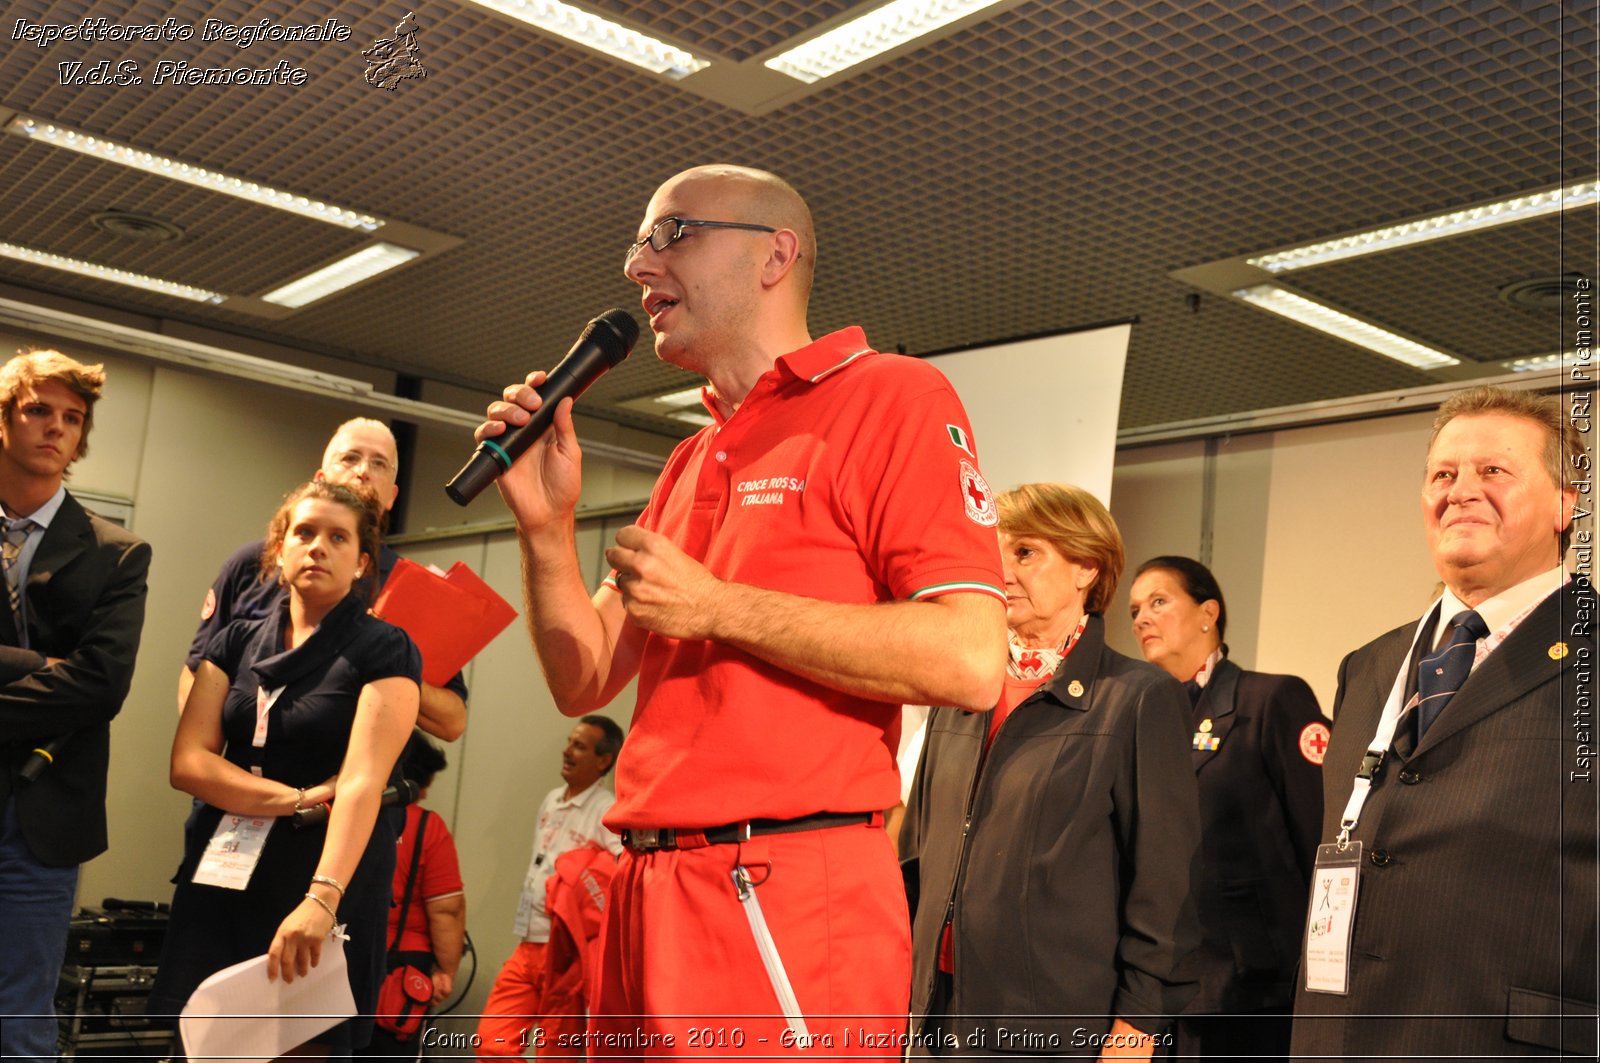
point(846, 476)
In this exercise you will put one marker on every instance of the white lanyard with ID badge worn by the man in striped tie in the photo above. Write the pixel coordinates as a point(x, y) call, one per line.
point(1337, 876)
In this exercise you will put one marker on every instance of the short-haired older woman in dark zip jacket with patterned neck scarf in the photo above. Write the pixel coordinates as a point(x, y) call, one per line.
point(1050, 846)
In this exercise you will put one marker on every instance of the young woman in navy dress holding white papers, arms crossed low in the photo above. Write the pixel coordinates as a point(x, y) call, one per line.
point(308, 707)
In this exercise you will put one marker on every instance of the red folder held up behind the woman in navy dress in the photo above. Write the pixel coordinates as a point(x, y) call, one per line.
point(450, 617)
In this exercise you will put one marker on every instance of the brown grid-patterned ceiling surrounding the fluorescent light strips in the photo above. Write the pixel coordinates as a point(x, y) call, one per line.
point(1044, 167)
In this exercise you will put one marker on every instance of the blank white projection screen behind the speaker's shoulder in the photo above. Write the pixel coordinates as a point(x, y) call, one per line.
point(1044, 409)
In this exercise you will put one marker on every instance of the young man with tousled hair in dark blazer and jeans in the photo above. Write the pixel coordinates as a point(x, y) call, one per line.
point(68, 638)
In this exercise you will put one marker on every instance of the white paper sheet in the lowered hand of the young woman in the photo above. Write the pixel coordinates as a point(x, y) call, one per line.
point(238, 1014)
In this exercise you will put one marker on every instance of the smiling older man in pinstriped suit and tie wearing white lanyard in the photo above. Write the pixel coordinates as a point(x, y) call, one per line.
point(1458, 779)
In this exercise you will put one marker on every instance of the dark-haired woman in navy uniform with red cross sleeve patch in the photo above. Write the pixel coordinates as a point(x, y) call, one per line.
point(1257, 748)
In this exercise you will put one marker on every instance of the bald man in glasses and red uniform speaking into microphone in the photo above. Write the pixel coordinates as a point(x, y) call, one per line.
point(818, 556)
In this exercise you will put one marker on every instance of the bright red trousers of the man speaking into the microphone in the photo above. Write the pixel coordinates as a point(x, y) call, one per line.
point(682, 974)
